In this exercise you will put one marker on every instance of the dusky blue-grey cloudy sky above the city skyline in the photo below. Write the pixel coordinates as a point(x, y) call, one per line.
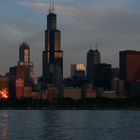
point(113, 24)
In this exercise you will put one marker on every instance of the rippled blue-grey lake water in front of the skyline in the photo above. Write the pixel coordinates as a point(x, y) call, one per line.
point(69, 125)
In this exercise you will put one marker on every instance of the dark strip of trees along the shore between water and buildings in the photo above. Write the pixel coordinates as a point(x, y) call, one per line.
point(68, 103)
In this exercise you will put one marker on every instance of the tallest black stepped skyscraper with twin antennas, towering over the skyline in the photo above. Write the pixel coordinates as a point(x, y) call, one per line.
point(52, 55)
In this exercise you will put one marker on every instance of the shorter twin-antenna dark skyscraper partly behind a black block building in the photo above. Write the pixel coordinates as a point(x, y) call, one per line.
point(93, 57)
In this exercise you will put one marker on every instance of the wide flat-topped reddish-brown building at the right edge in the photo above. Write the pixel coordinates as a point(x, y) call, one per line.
point(129, 66)
